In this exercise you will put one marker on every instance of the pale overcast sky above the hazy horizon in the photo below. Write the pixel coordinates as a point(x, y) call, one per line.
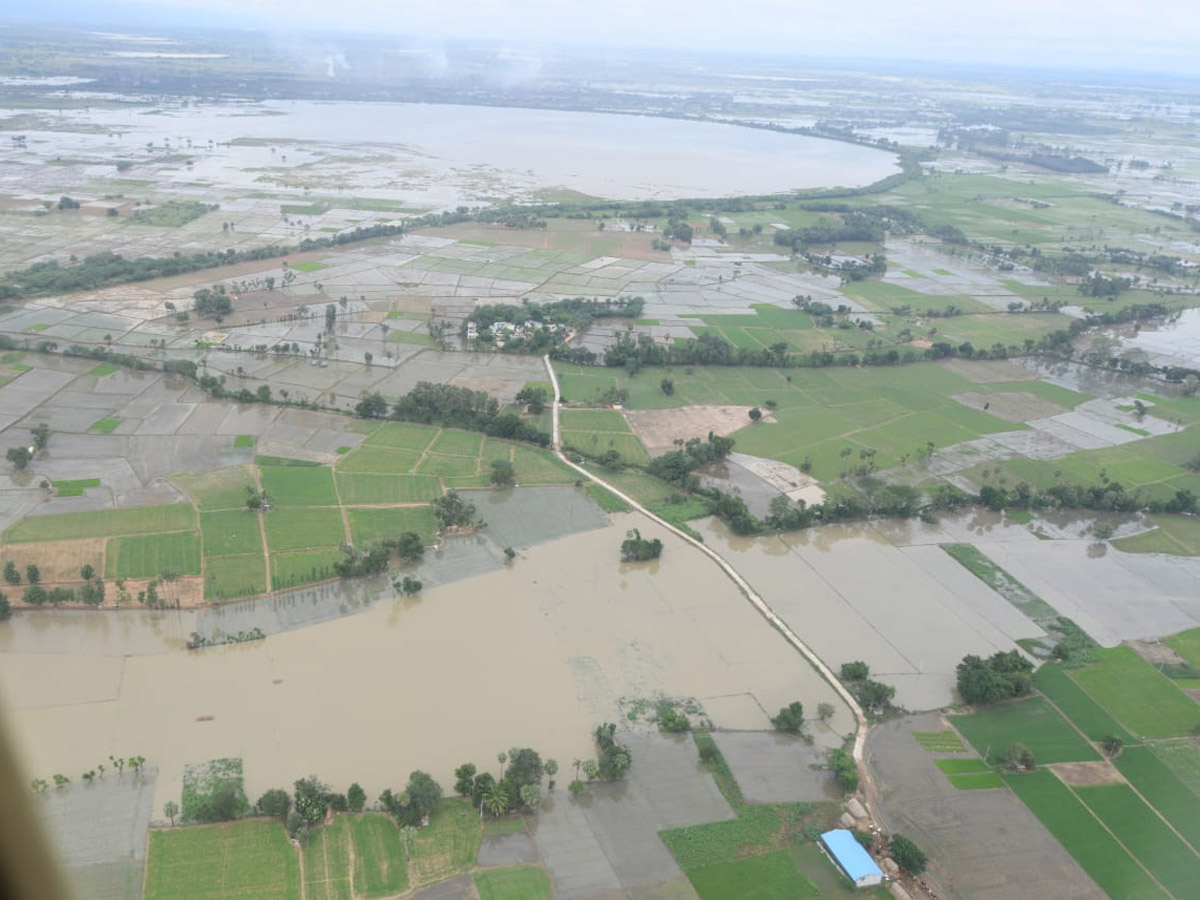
point(1151, 35)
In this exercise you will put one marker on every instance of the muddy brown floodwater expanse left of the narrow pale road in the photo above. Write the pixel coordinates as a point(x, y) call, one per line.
point(536, 655)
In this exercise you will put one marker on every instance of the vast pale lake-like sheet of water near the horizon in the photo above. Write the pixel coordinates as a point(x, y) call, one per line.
point(416, 152)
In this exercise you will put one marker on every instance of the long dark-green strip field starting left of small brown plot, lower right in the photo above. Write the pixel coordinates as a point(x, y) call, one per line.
point(1075, 827)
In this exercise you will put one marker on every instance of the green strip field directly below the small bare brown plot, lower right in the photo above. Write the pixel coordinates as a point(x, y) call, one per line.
point(1147, 837)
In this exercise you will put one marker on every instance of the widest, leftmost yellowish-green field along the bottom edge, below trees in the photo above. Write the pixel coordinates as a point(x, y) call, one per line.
point(243, 861)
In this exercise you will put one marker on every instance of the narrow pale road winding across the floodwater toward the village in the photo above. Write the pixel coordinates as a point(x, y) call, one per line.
point(741, 583)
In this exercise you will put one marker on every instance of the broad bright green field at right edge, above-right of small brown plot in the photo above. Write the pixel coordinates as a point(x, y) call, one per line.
point(1138, 695)
